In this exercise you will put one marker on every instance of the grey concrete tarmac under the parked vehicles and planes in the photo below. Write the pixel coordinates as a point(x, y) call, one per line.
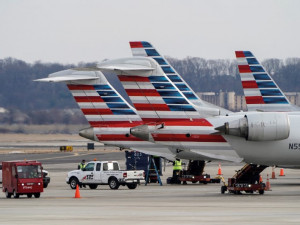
point(151, 204)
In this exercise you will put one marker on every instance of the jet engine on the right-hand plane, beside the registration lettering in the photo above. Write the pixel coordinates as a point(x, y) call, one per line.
point(265, 126)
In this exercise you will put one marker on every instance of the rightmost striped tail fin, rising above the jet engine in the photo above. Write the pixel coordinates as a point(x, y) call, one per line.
point(261, 91)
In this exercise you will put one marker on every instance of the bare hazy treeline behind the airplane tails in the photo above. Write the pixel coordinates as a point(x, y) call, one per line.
point(45, 103)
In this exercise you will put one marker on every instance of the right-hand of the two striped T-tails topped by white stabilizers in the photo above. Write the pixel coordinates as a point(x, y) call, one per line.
point(152, 93)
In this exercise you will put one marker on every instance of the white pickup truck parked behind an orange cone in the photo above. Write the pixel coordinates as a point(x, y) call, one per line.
point(104, 173)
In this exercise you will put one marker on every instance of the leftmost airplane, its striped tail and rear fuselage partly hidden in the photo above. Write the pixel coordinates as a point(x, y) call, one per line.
point(111, 117)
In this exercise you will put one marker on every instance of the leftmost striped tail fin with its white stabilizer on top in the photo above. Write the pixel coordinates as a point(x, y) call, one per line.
point(101, 104)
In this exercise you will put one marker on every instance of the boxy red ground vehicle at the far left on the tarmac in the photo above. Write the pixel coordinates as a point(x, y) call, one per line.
point(22, 178)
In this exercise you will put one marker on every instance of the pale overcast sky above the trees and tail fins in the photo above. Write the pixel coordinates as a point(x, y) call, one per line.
point(70, 31)
